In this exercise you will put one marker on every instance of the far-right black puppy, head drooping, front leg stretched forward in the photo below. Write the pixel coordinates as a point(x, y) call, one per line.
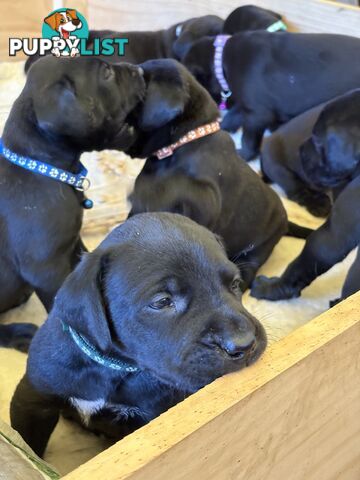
point(331, 159)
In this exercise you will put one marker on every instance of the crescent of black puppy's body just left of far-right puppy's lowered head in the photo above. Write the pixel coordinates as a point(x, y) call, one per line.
point(281, 163)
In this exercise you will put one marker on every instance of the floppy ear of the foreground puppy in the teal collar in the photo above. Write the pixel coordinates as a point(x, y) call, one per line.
point(80, 302)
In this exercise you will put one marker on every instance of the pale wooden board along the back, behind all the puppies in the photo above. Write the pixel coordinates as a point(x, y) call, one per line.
point(305, 16)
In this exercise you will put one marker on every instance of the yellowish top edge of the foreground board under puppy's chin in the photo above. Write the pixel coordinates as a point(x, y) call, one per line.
point(139, 449)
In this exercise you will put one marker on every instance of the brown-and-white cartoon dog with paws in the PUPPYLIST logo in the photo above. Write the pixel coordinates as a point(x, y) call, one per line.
point(64, 23)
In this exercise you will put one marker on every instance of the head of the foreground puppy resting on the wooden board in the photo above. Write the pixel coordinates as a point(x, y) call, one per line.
point(161, 293)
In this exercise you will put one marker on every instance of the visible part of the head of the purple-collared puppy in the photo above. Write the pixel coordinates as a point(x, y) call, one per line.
point(199, 60)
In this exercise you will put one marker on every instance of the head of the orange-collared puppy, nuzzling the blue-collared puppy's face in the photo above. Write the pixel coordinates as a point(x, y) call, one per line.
point(174, 103)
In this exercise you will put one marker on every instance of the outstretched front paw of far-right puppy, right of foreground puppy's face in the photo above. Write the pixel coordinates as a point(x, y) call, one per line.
point(272, 289)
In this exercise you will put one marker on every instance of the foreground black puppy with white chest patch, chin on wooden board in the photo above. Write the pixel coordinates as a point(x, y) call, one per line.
point(158, 293)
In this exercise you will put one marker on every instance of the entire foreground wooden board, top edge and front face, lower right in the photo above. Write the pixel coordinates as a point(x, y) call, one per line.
point(294, 414)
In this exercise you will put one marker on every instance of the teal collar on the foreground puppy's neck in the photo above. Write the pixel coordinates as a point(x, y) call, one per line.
point(92, 352)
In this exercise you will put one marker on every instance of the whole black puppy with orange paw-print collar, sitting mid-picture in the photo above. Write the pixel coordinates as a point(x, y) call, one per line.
point(205, 180)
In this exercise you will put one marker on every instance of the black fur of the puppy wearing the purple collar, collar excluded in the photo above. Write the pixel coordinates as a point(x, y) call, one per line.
point(275, 77)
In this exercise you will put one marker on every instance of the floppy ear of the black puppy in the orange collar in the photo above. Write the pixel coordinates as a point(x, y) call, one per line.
point(164, 102)
